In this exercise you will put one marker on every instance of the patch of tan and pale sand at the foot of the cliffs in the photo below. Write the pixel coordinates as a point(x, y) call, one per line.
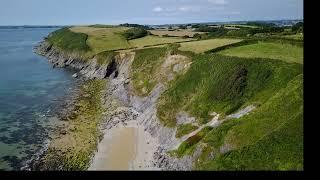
point(124, 148)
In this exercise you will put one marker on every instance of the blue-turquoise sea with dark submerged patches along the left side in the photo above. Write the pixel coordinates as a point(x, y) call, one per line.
point(30, 91)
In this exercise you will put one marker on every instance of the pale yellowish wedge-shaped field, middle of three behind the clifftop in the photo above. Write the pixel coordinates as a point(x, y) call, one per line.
point(205, 45)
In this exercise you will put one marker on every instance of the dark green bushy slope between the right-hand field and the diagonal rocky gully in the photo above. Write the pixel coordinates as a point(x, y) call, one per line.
point(222, 84)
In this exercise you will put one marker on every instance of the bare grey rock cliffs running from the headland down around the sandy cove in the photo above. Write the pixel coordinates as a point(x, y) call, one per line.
point(123, 106)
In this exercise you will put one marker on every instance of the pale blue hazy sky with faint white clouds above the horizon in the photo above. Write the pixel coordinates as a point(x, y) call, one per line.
point(75, 12)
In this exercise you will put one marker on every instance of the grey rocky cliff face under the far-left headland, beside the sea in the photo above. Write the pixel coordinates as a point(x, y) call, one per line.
point(89, 68)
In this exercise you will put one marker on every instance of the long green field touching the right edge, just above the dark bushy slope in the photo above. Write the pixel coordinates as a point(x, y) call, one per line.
point(281, 51)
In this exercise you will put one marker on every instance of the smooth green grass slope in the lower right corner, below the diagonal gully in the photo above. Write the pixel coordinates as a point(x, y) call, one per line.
point(271, 138)
